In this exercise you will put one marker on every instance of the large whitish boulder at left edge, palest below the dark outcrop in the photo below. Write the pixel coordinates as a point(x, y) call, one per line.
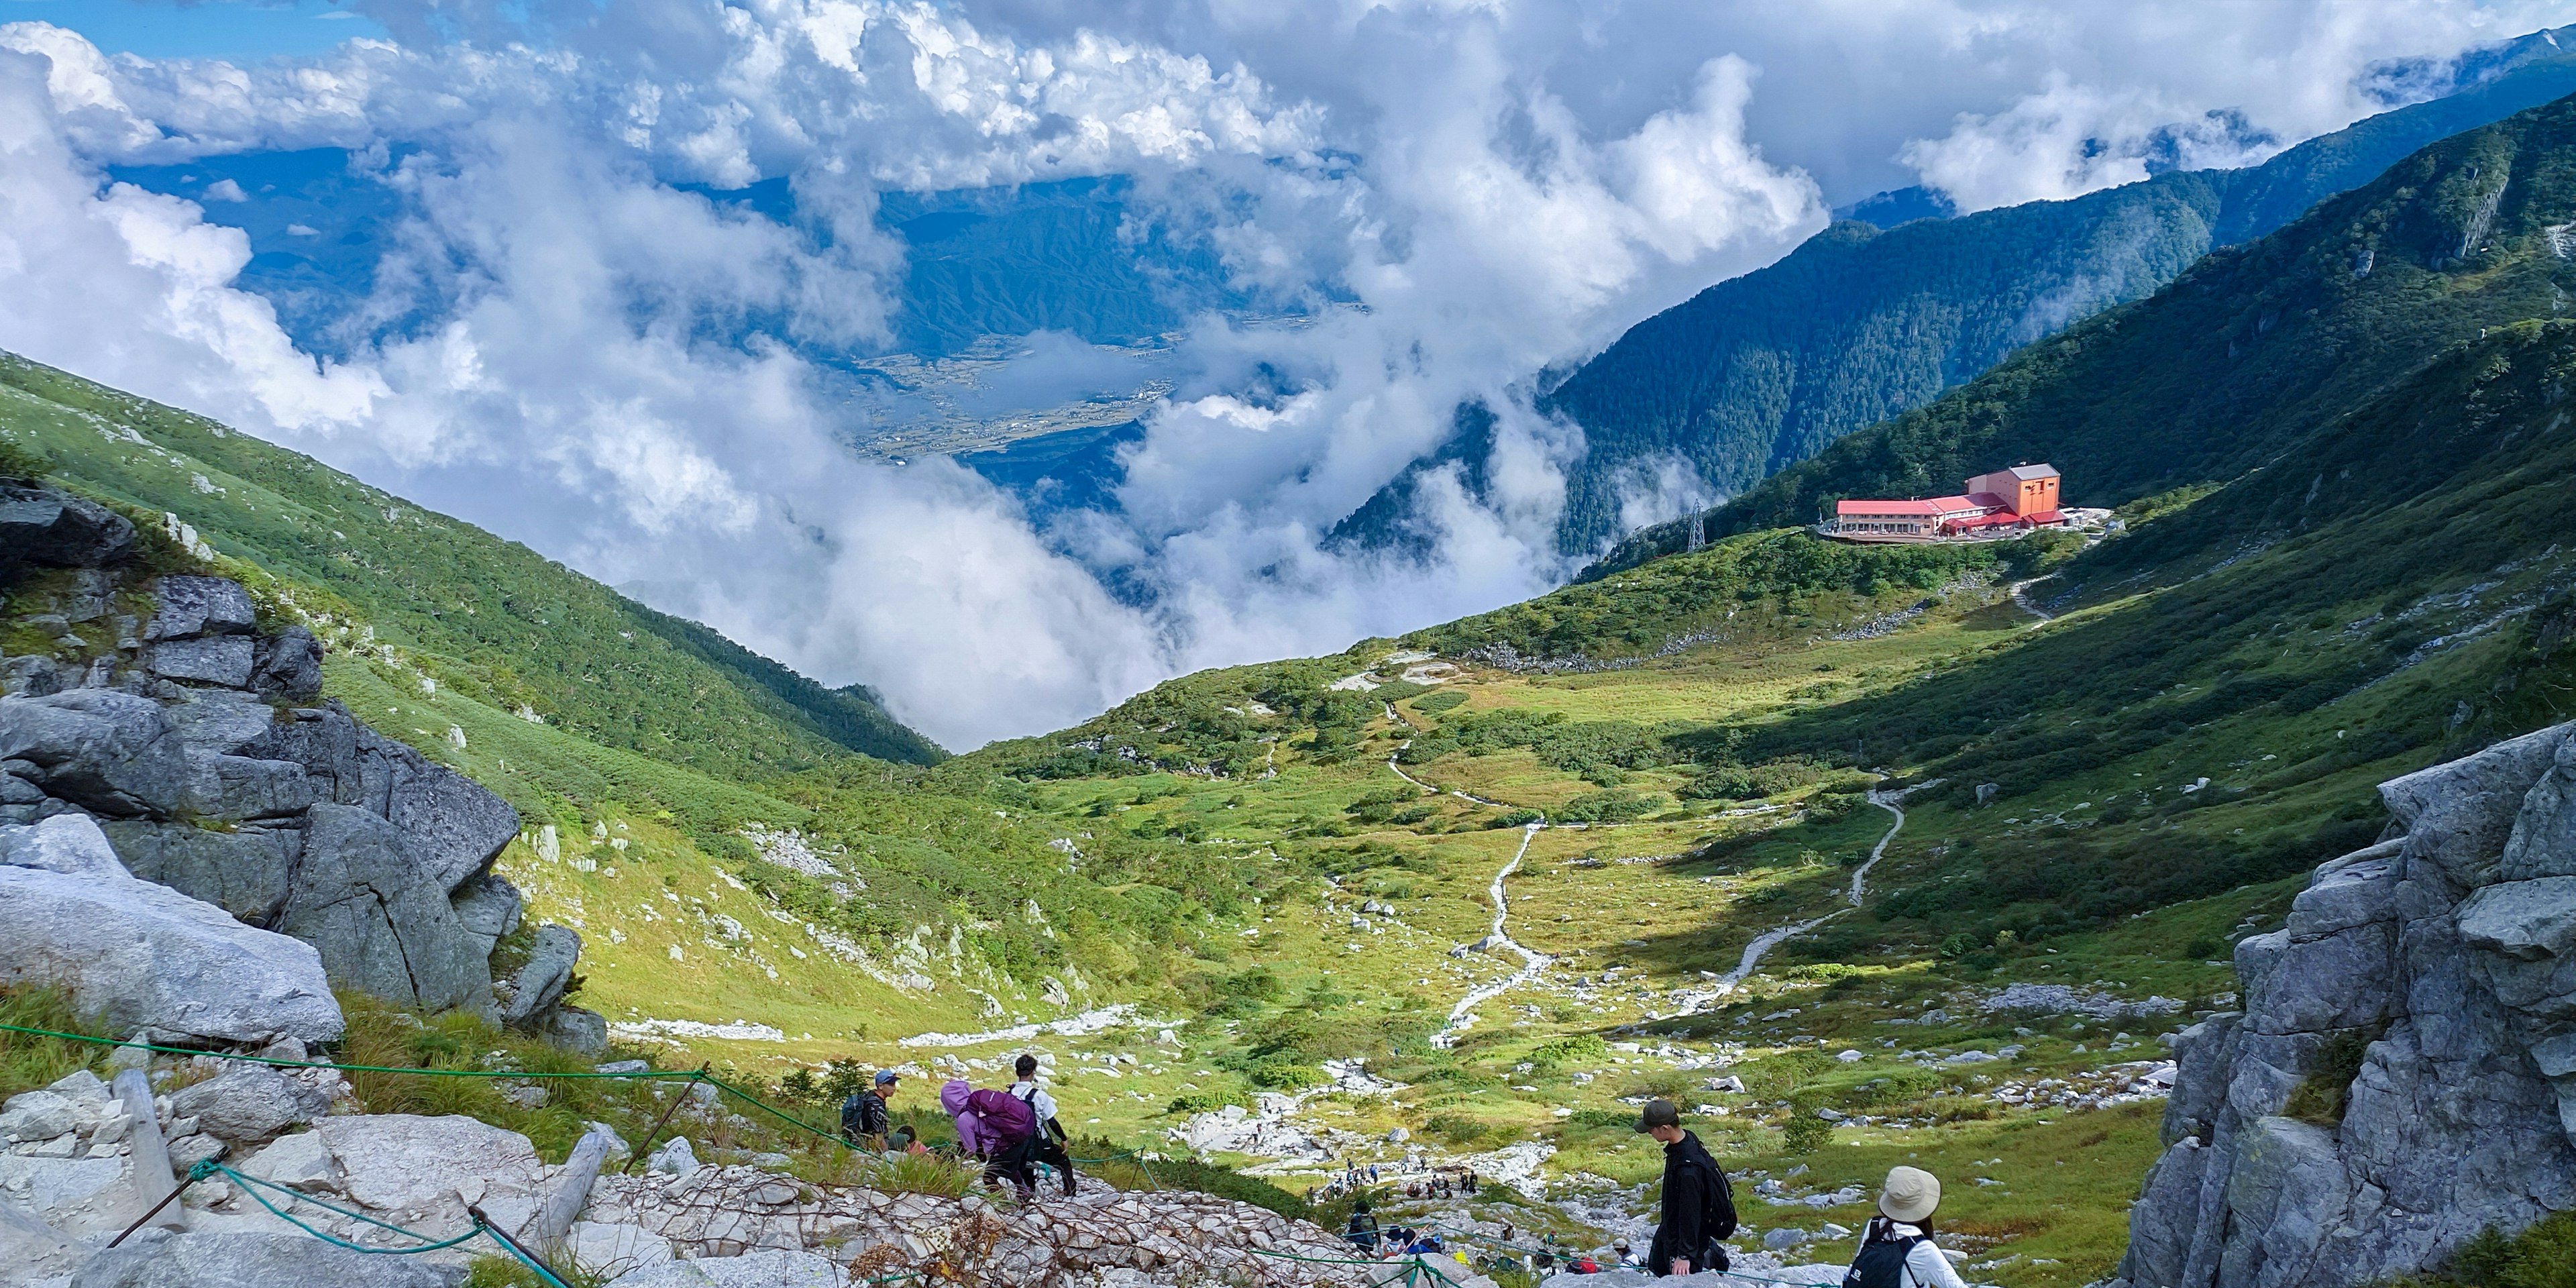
point(151, 957)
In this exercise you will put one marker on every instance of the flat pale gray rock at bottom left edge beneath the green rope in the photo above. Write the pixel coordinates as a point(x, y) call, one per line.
point(254, 1261)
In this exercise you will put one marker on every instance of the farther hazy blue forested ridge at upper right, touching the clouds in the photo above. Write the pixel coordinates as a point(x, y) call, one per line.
point(1859, 326)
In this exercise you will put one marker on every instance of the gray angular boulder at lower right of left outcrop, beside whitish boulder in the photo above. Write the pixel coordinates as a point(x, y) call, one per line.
point(380, 918)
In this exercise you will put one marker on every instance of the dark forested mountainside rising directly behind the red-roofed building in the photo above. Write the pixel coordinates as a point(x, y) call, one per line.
point(2248, 354)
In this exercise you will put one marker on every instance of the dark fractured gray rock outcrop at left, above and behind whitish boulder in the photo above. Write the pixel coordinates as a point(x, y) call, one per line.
point(200, 748)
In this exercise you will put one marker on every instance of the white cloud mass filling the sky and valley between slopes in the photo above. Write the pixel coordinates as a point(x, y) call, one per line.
point(571, 344)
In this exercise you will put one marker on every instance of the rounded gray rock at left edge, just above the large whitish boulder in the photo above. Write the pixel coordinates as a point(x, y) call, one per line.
point(104, 751)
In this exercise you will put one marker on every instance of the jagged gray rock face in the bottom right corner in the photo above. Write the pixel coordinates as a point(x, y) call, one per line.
point(2451, 952)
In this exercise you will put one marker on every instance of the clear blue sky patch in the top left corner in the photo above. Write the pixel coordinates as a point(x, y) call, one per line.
point(220, 30)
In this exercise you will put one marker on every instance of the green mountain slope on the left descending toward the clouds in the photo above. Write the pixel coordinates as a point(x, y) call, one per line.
point(491, 617)
